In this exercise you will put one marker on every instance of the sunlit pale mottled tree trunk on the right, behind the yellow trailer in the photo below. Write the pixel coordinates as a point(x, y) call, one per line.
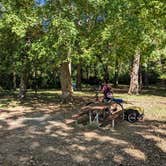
point(134, 77)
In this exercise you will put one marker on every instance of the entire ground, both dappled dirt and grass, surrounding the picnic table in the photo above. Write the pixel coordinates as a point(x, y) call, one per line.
point(34, 132)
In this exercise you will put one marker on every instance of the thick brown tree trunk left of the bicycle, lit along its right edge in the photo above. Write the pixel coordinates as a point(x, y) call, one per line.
point(65, 79)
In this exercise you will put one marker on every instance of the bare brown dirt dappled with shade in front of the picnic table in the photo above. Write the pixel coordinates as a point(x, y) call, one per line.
point(43, 138)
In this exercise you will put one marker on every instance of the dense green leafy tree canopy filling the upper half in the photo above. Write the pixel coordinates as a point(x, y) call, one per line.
point(37, 37)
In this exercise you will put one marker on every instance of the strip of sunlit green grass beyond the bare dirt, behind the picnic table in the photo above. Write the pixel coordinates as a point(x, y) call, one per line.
point(154, 105)
